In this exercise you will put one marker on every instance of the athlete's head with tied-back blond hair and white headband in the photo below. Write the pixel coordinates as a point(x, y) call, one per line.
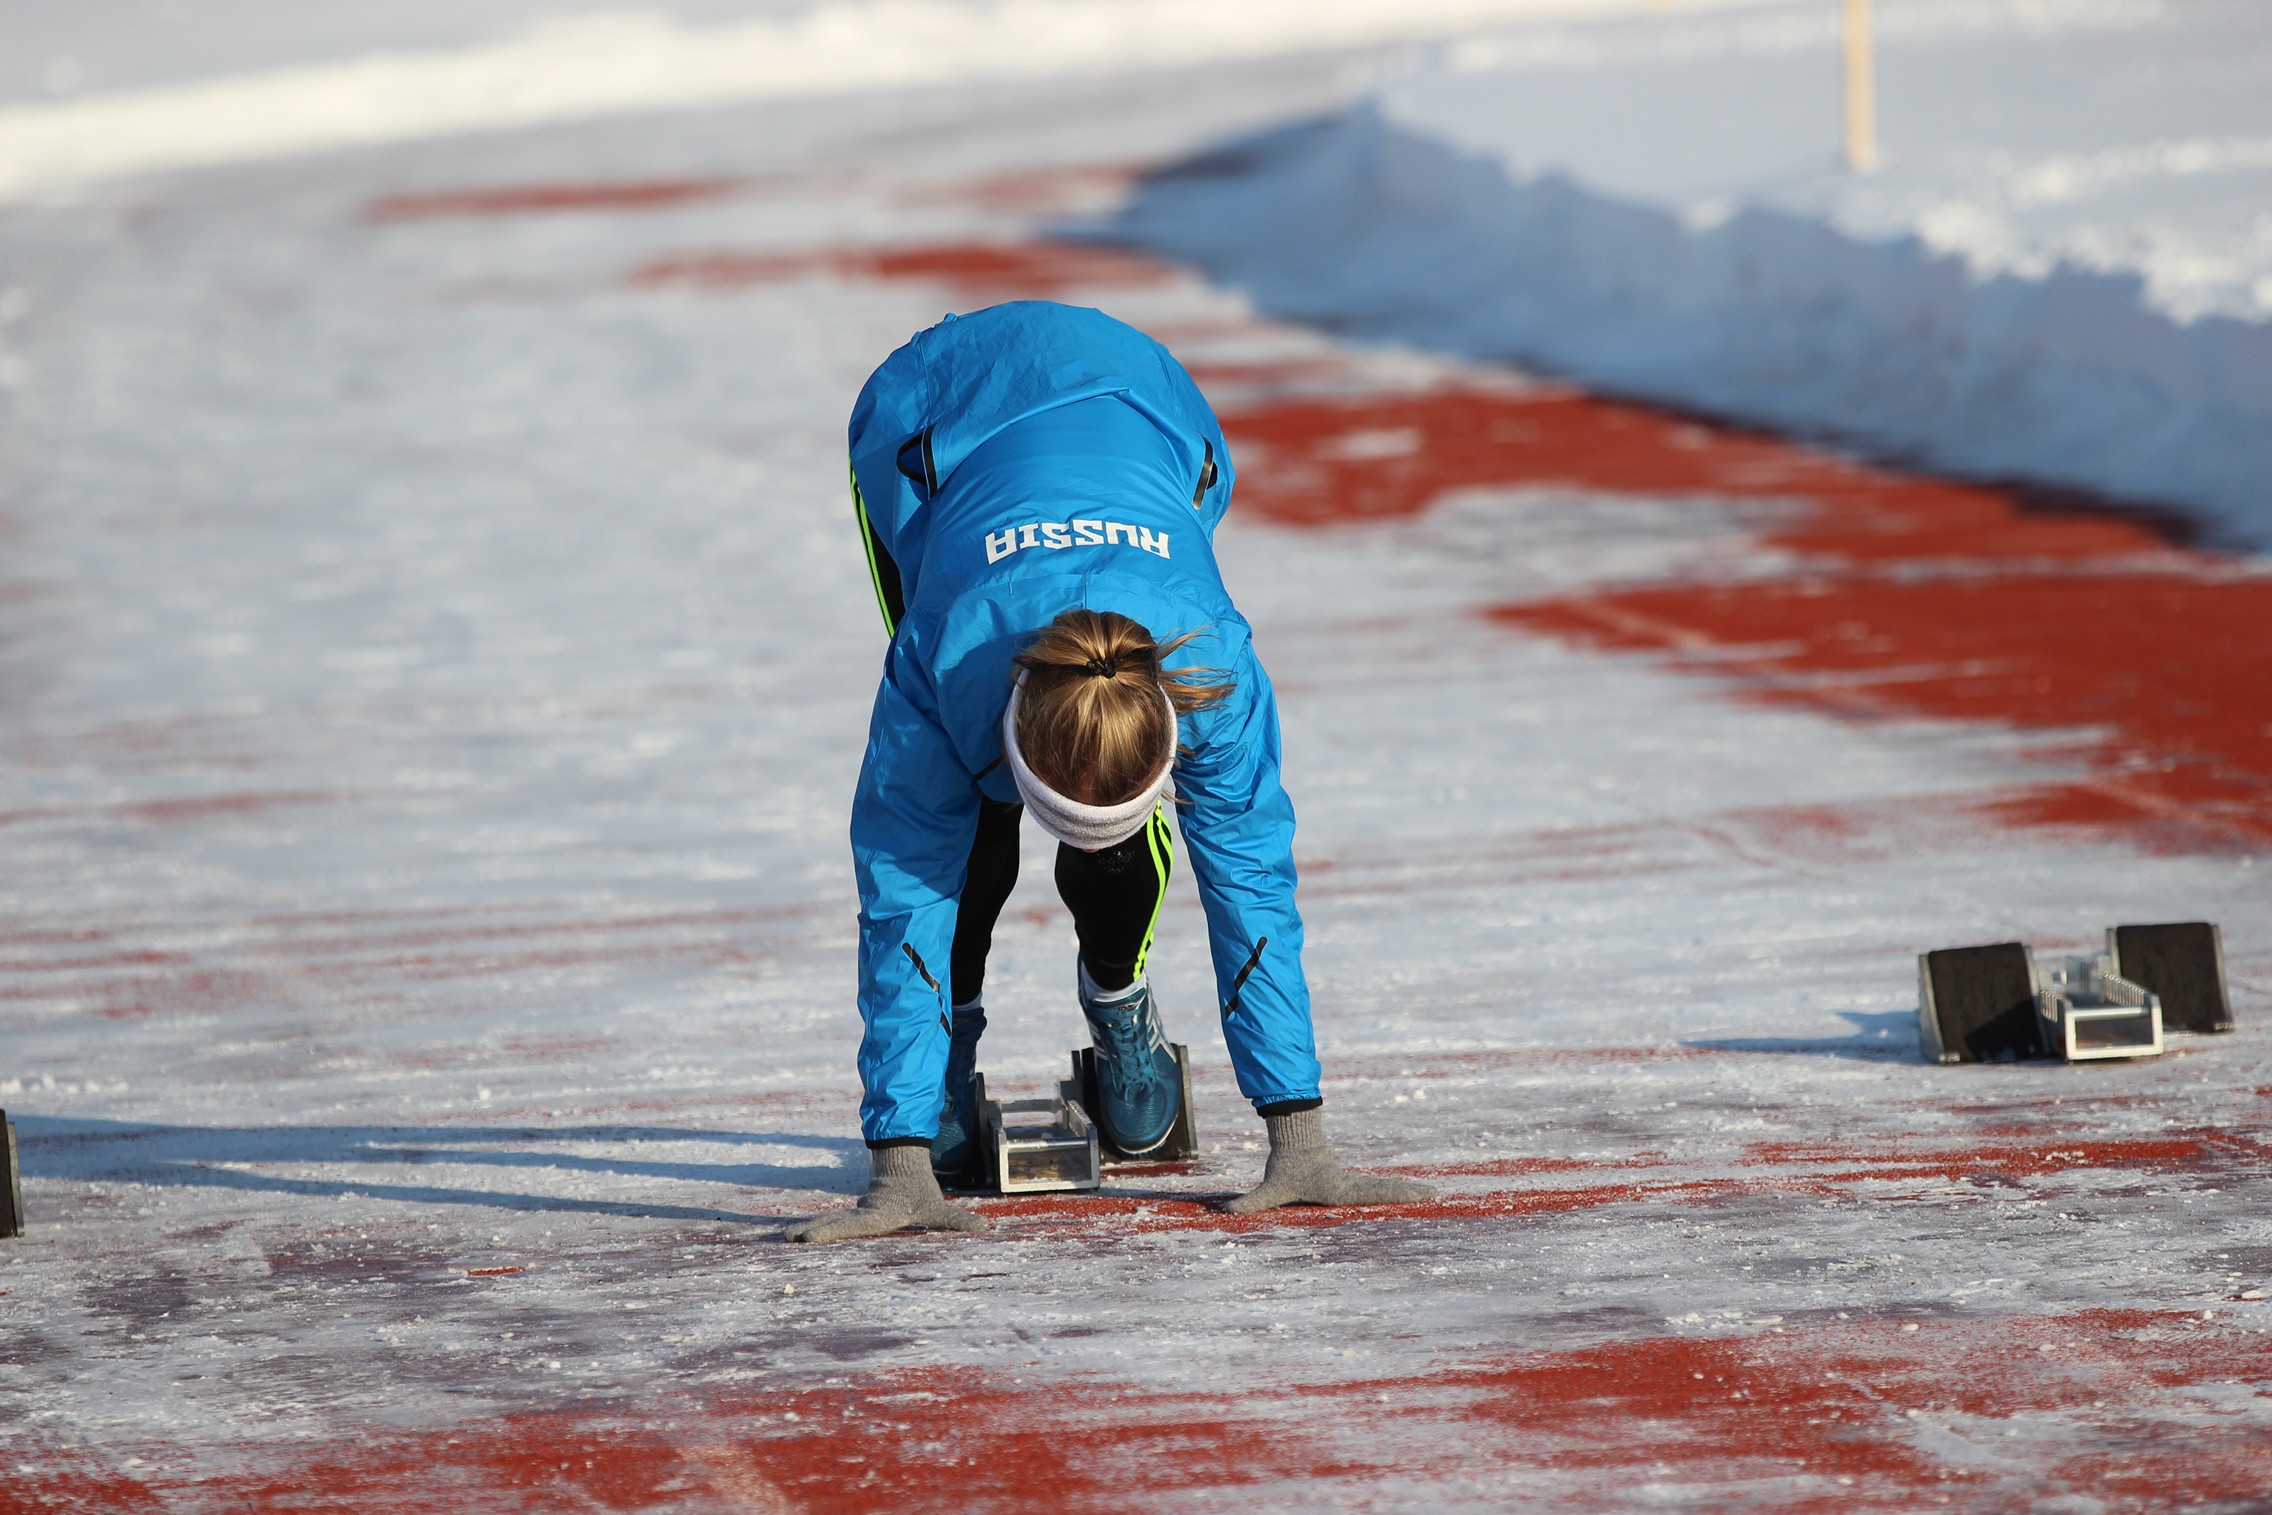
point(1096, 710)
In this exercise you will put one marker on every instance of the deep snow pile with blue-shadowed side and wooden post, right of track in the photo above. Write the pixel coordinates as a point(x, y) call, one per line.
point(2064, 269)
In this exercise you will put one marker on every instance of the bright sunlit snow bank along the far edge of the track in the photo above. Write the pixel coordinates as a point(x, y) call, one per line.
point(617, 62)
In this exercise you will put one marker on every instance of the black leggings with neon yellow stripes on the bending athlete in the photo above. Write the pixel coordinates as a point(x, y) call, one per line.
point(1114, 894)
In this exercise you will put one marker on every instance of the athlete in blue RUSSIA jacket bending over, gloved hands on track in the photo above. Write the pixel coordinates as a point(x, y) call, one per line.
point(1039, 487)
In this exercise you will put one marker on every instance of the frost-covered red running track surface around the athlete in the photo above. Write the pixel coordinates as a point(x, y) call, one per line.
point(433, 664)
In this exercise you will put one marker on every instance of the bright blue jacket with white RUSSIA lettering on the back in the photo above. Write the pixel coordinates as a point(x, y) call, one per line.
point(1021, 462)
